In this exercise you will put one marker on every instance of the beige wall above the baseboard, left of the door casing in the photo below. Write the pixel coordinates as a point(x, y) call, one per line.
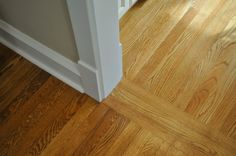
point(47, 21)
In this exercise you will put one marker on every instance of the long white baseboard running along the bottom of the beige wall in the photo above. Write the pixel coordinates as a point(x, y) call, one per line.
point(42, 56)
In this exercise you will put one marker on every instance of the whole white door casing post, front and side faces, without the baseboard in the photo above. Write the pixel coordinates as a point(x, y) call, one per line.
point(96, 29)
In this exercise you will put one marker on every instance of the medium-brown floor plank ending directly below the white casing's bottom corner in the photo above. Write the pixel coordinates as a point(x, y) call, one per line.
point(76, 131)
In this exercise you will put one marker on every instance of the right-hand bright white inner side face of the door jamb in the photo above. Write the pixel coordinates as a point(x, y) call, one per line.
point(104, 22)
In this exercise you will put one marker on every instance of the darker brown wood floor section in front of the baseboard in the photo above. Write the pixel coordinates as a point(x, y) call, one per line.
point(35, 107)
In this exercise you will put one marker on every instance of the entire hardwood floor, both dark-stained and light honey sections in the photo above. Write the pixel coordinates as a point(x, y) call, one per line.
point(177, 97)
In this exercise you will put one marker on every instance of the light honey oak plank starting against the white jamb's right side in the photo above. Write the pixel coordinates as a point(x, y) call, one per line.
point(143, 48)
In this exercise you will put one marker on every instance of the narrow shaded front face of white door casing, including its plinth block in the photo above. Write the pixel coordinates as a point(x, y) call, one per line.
point(79, 16)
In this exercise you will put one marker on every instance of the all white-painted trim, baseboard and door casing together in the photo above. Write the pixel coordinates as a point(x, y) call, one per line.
point(95, 26)
